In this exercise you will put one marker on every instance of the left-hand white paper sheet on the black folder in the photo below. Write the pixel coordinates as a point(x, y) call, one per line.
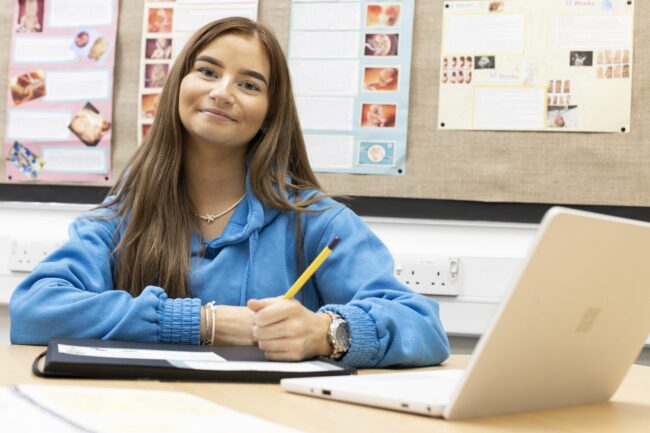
point(123, 353)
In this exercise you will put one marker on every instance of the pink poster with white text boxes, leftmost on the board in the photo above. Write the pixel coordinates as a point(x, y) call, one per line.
point(60, 96)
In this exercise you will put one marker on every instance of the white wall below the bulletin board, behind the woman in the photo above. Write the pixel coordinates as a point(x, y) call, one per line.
point(489, 254)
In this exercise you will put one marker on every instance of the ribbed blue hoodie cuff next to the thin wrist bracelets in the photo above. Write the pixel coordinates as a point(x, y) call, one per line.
point(180, 321)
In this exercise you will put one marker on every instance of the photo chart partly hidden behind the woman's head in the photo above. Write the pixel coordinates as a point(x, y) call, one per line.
point(167, 25)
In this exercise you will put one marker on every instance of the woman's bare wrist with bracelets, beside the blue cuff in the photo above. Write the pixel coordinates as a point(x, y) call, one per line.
point(233, 326)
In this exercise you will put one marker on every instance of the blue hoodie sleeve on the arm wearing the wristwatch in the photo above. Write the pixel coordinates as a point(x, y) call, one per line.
point(390, 324)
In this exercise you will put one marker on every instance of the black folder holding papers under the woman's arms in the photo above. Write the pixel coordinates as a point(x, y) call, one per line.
point(65, 364)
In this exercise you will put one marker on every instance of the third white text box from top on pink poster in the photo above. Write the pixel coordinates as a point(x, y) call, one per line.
point(77, 85)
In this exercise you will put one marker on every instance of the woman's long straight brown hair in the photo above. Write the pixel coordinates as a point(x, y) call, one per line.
point(150, 197)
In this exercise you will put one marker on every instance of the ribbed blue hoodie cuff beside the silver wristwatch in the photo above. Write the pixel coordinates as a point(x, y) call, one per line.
point(365, 344)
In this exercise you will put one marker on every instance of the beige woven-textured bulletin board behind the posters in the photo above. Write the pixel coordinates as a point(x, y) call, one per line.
point(483, 166)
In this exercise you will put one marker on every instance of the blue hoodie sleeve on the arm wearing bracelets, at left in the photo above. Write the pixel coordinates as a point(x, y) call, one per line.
point(70, 294)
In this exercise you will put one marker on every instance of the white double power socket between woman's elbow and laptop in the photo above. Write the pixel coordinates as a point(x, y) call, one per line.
point(429, 275)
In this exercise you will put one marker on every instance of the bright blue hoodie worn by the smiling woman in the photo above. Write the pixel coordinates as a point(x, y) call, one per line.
point(71, 294)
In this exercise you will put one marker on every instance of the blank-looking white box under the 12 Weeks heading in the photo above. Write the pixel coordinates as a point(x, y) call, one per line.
point(591, 31)
